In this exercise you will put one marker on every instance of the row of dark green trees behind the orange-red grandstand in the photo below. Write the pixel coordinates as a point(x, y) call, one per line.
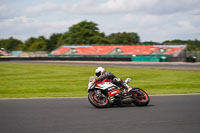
point(85, 33)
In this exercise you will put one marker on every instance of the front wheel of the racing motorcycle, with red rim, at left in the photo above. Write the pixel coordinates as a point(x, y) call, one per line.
point(98, 101)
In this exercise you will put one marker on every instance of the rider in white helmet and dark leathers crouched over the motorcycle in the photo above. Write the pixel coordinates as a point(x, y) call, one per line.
point(102, 74)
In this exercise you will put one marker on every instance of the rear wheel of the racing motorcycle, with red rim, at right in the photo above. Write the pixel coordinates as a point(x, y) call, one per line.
point(141, 98)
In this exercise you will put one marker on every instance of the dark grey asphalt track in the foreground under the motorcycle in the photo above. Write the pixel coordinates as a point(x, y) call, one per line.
point(165, 114)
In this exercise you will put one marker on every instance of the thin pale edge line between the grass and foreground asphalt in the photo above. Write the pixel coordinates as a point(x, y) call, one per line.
point(86, 97)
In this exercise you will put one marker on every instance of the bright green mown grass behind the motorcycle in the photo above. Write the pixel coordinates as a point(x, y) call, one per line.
point(38, 80)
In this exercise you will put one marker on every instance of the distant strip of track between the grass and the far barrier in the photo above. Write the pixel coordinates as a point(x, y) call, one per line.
point(156, 65)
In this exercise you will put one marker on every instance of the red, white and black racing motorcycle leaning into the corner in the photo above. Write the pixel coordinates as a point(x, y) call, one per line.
point(102, 94)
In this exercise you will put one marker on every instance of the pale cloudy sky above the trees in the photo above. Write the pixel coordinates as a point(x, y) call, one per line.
point(152, 20)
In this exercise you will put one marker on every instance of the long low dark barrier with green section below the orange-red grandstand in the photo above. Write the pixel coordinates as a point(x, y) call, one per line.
point(138, 58)
